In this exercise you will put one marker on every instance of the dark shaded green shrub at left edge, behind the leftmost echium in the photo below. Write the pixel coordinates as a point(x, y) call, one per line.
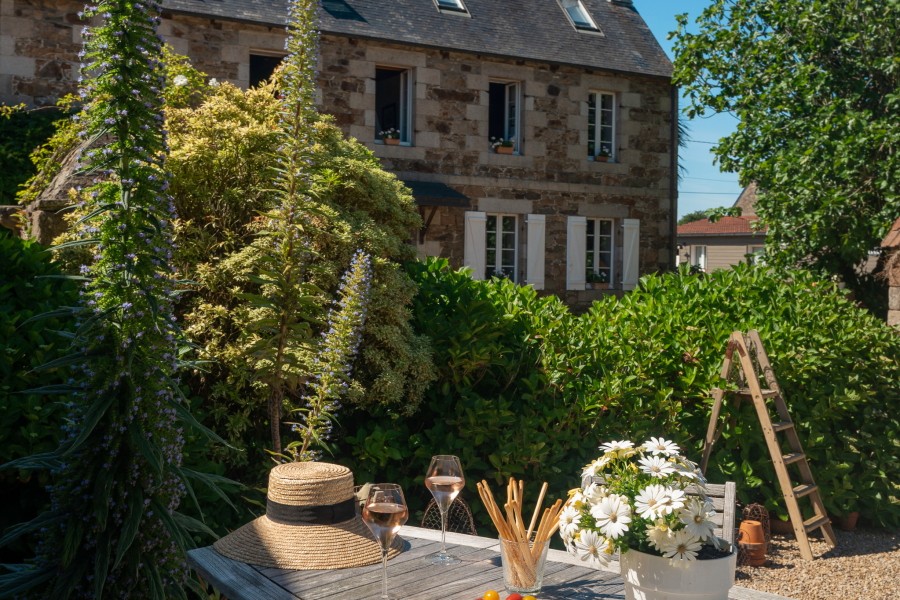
point(29, 423)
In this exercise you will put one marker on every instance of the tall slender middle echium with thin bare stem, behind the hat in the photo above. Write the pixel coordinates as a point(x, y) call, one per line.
point(287, 303)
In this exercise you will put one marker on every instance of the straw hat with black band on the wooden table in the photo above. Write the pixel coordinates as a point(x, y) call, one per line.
point(311, 522)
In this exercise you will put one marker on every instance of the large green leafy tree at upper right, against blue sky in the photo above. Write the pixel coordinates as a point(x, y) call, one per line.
point(814, 85)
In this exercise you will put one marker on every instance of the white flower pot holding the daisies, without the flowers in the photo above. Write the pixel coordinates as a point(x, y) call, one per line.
point(649, 577)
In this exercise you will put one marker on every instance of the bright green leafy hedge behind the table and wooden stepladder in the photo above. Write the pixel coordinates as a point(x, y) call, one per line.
point(529, 390)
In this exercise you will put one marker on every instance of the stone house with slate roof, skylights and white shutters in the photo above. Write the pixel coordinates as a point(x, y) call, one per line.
point(580, 196)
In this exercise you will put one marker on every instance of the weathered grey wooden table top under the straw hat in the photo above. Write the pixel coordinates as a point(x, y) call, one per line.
point(410, 577)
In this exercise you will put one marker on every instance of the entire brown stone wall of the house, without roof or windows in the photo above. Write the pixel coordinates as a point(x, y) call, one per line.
point(552, 176)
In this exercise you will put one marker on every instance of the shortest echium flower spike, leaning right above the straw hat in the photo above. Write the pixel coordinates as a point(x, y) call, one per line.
point(333, 365)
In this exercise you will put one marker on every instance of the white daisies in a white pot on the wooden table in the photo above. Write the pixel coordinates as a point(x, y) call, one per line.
point(648, 504)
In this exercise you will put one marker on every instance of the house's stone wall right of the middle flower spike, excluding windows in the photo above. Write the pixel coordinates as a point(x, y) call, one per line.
point(552, 176)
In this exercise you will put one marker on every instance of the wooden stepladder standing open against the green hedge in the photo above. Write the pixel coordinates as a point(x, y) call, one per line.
point(786, 450)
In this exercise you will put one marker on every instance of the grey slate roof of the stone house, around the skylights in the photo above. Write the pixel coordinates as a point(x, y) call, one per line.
point(527, 29)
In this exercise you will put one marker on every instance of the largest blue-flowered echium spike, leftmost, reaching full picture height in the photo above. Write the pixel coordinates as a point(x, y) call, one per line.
point(112, 528)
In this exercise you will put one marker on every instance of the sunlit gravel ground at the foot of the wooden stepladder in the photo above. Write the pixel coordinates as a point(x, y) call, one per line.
point(864, 565)
